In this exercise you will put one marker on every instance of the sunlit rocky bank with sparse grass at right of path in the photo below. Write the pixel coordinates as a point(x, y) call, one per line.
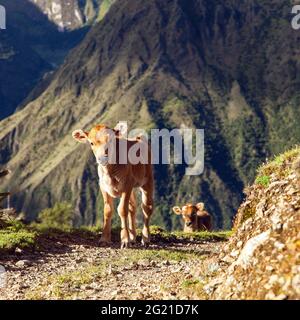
point(261, 260)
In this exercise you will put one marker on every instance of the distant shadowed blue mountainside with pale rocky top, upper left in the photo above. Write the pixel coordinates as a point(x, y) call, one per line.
point(34, 44)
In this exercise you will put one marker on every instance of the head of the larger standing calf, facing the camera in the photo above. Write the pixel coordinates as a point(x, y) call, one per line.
point(102, 140)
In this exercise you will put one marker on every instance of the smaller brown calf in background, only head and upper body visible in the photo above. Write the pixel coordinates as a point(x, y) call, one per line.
point(195, 217)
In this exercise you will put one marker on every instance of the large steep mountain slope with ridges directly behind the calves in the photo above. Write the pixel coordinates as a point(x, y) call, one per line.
point(203, 64)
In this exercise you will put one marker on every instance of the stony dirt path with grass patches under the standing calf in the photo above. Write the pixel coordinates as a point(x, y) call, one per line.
point(75, 268)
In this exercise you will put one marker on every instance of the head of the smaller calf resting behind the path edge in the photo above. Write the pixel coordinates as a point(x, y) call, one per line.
point(189, 213)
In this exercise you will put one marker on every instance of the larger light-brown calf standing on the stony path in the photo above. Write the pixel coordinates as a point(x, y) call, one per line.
point(119, 173)
